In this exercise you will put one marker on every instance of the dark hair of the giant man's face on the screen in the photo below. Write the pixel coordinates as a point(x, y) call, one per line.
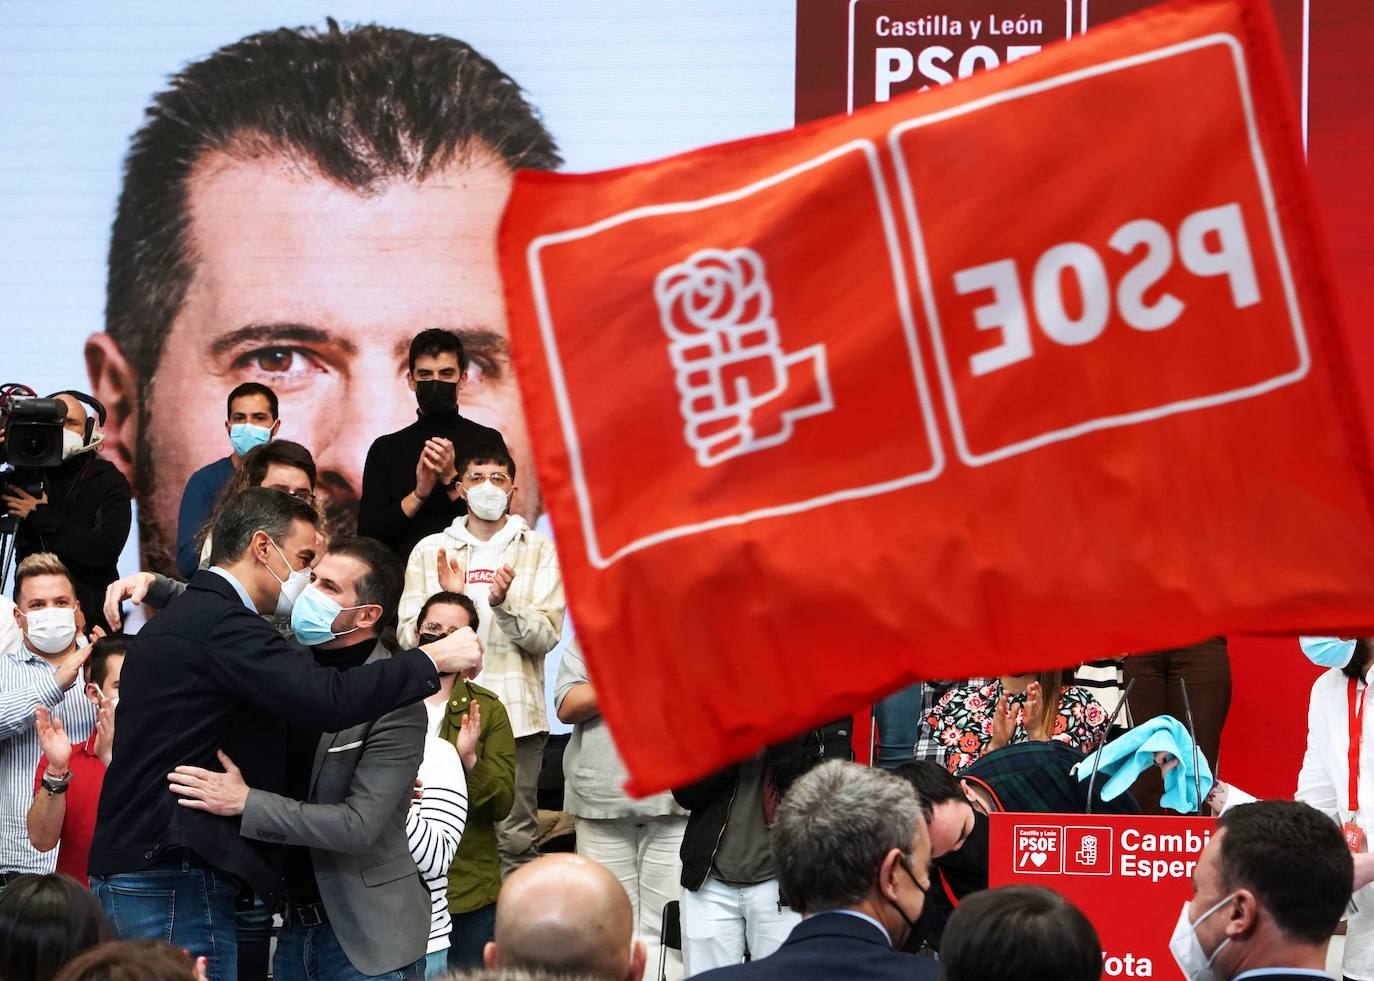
point(358, 105)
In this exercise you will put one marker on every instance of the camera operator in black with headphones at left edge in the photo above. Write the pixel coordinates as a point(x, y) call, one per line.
point(78, 510)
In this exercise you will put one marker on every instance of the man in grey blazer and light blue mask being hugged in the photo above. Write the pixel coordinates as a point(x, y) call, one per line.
point(355, 902)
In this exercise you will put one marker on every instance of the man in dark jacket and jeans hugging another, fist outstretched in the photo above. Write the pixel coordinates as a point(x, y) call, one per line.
point(211, 675)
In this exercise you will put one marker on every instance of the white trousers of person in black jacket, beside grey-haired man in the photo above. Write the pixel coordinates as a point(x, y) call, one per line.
point(721, 923)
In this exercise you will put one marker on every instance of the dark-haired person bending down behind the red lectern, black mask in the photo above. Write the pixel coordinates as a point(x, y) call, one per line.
point(1033, 777)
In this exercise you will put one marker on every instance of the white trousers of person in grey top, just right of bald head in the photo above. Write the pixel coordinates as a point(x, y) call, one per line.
point(645, 855)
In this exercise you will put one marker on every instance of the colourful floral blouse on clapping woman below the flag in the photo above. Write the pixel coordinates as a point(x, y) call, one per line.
point(962, 722)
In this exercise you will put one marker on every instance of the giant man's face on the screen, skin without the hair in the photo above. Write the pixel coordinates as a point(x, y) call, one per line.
point(317, 292)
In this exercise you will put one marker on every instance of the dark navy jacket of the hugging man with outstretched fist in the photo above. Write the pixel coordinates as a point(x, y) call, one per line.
point(210, 674)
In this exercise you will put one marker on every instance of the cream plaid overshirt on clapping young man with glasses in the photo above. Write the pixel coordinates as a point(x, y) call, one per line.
point(524, 629)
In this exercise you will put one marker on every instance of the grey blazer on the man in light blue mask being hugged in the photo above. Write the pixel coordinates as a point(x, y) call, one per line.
point(354, 822)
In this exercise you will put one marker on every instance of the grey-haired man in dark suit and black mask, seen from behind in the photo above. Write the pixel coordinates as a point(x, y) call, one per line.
point(854, 857)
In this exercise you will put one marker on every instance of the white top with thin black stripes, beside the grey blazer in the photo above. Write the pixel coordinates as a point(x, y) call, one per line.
point(435, 828)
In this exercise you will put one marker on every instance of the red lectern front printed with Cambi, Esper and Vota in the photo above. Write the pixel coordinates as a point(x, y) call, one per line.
point(1130, 875)
